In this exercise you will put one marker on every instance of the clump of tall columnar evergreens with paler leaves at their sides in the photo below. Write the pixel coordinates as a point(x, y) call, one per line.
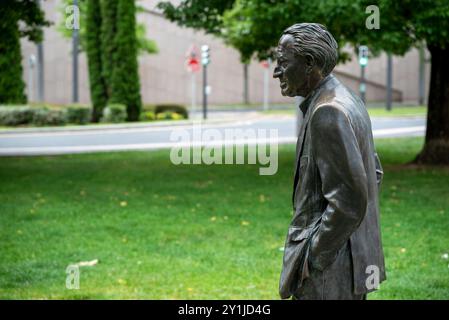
point(112, 45)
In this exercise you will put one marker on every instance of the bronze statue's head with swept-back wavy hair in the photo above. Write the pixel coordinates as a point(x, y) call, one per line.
point(306, 53)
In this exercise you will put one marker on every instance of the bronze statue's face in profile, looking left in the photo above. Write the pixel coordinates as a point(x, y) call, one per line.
point(291, 69)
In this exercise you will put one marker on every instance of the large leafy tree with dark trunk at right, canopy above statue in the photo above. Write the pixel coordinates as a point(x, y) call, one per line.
point(254, 27)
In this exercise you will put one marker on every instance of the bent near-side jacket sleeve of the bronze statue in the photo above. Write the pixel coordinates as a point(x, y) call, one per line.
point(343, 181)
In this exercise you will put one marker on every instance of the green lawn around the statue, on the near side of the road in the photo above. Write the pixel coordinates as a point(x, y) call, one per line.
point(195, 232)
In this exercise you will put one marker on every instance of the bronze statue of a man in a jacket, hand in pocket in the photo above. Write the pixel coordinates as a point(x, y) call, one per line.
point(333, 248)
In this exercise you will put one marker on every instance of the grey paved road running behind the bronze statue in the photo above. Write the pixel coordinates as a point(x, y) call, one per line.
point(150, 137)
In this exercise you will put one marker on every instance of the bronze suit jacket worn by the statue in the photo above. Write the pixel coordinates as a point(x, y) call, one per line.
point(335, 190)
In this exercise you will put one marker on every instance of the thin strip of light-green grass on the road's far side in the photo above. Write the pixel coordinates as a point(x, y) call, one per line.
point(397, 111)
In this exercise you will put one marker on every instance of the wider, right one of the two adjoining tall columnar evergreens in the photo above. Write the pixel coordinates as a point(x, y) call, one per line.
point(125, 85)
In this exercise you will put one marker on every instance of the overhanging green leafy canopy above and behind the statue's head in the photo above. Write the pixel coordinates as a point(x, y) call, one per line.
point(254, 26)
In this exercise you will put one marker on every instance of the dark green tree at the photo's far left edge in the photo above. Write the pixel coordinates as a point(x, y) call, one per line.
point(17, 19)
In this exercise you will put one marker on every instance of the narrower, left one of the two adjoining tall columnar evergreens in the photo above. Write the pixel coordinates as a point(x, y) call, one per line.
point(97, 82)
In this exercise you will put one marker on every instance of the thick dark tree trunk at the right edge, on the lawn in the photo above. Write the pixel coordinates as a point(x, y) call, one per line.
point(436, 147)
